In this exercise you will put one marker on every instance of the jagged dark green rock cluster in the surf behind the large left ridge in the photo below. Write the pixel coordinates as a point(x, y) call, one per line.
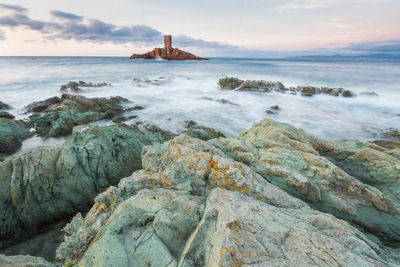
point(61, 115)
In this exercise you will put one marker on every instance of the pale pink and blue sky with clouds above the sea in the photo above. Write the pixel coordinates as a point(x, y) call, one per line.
point(253, 28)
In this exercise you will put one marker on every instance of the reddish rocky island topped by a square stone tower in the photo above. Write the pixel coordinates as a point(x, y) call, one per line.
point(167, 53)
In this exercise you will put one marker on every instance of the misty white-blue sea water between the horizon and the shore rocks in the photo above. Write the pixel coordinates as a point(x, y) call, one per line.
point(188, 90)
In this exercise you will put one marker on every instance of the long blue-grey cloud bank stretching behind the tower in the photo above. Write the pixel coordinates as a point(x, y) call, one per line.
point(74, 27)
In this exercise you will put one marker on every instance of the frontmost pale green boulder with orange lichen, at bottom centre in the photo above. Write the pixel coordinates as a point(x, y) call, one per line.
point(193, 205)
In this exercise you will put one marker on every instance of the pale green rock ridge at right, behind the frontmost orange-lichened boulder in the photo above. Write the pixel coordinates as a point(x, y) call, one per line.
point(304, 166)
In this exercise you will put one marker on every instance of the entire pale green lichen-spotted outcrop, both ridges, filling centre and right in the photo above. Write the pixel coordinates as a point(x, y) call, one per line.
point(198, 203)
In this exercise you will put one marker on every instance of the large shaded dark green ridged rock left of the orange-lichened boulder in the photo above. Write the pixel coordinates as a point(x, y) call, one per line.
point(45, 184)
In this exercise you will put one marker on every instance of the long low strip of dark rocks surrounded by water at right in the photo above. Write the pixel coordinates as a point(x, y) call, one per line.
point(268, 86)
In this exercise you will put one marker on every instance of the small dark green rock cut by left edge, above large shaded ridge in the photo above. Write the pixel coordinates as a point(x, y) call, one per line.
point(12, 133)
